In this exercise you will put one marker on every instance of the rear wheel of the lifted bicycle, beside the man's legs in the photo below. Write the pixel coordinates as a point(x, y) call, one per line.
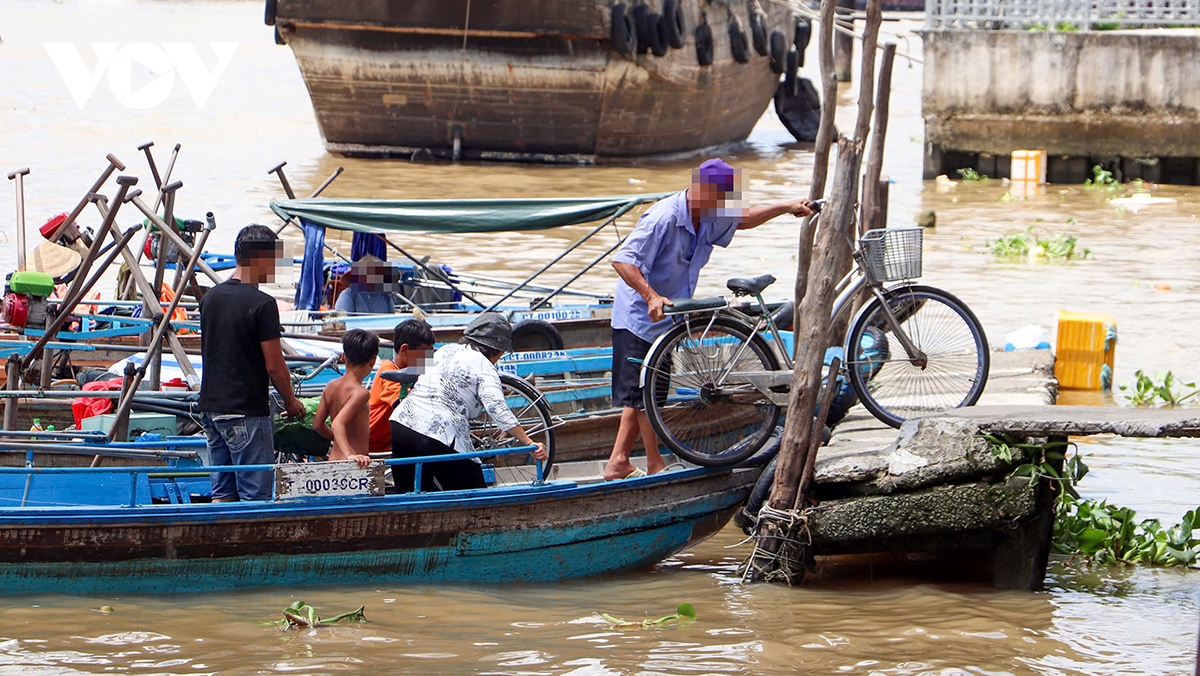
point(697, 402)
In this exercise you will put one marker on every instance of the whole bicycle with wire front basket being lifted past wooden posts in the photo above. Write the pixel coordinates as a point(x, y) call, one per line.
point(716, 382)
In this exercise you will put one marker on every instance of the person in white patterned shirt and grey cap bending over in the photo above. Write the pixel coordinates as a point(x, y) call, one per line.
point(435, 418)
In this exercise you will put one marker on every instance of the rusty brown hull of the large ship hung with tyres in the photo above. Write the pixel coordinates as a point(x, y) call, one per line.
point(513, 80)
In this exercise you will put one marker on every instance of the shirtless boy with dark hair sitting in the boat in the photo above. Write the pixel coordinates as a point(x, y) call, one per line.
point(346, 402)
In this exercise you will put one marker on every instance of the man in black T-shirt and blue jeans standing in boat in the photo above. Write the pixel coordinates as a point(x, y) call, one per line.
point(242, 354)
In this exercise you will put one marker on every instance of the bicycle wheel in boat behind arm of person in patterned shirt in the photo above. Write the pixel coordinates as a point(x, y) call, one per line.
point(533, 414)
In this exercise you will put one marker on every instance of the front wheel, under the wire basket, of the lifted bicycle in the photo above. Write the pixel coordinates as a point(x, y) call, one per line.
point(950, 370)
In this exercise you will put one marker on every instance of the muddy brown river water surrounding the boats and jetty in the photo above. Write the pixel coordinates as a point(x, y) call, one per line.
point(1089, 621)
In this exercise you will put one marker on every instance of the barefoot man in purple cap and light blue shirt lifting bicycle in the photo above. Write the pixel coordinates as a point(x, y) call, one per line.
point(659, 261)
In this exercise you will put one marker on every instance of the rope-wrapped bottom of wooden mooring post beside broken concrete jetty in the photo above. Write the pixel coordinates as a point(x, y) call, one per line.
point(782, 542)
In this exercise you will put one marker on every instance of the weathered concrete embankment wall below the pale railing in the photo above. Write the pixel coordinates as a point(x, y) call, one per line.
point(1126, 100)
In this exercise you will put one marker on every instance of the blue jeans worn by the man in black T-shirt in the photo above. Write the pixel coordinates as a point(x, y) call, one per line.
point(239, 440)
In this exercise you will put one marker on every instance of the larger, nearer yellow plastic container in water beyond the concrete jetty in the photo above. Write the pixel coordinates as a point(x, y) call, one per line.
point(1085, 350)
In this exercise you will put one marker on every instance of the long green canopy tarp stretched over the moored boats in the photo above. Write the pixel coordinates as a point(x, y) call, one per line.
point(457, 216)
